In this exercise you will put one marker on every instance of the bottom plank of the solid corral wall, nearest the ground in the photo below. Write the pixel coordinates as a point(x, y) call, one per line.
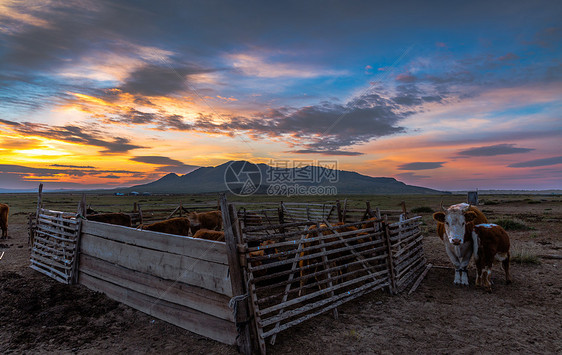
point(184, 317)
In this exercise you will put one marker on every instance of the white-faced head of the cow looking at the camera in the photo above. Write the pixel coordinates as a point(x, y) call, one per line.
point(455, 219)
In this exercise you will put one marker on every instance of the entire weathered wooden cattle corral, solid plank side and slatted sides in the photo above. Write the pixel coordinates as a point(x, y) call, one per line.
point(280, 265)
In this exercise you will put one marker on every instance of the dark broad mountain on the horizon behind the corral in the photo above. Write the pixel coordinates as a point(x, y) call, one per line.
point(246, 177)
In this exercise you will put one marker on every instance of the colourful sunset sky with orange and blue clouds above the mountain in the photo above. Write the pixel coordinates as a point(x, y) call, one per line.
point(441, 94)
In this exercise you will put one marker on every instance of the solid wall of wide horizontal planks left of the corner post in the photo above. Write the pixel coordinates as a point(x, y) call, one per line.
point(181, 280)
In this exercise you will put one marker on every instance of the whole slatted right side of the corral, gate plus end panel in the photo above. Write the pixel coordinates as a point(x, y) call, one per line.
point(309, 265)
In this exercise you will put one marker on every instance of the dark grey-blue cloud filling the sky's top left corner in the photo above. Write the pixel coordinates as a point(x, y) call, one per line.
point(72, 29)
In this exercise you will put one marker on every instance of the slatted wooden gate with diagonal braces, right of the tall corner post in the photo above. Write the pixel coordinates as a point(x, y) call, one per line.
point(309, 269)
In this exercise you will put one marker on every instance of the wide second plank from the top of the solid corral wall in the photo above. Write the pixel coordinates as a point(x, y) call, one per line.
point(197, 272)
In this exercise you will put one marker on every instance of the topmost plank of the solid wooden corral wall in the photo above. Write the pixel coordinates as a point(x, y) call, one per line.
point(176, 244)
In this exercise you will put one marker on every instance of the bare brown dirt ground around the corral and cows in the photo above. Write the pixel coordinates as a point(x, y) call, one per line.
point(39, 315)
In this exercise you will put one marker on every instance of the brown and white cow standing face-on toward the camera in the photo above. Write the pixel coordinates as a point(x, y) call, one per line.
point(454, 227)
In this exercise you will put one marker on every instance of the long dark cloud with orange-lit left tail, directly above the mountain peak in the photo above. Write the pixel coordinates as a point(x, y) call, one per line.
point(324, 128)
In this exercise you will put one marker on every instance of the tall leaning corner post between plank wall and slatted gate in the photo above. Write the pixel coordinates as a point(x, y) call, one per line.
point(241, 317)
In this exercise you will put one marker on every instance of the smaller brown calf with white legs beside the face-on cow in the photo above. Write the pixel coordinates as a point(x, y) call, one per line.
point(493, 244)
